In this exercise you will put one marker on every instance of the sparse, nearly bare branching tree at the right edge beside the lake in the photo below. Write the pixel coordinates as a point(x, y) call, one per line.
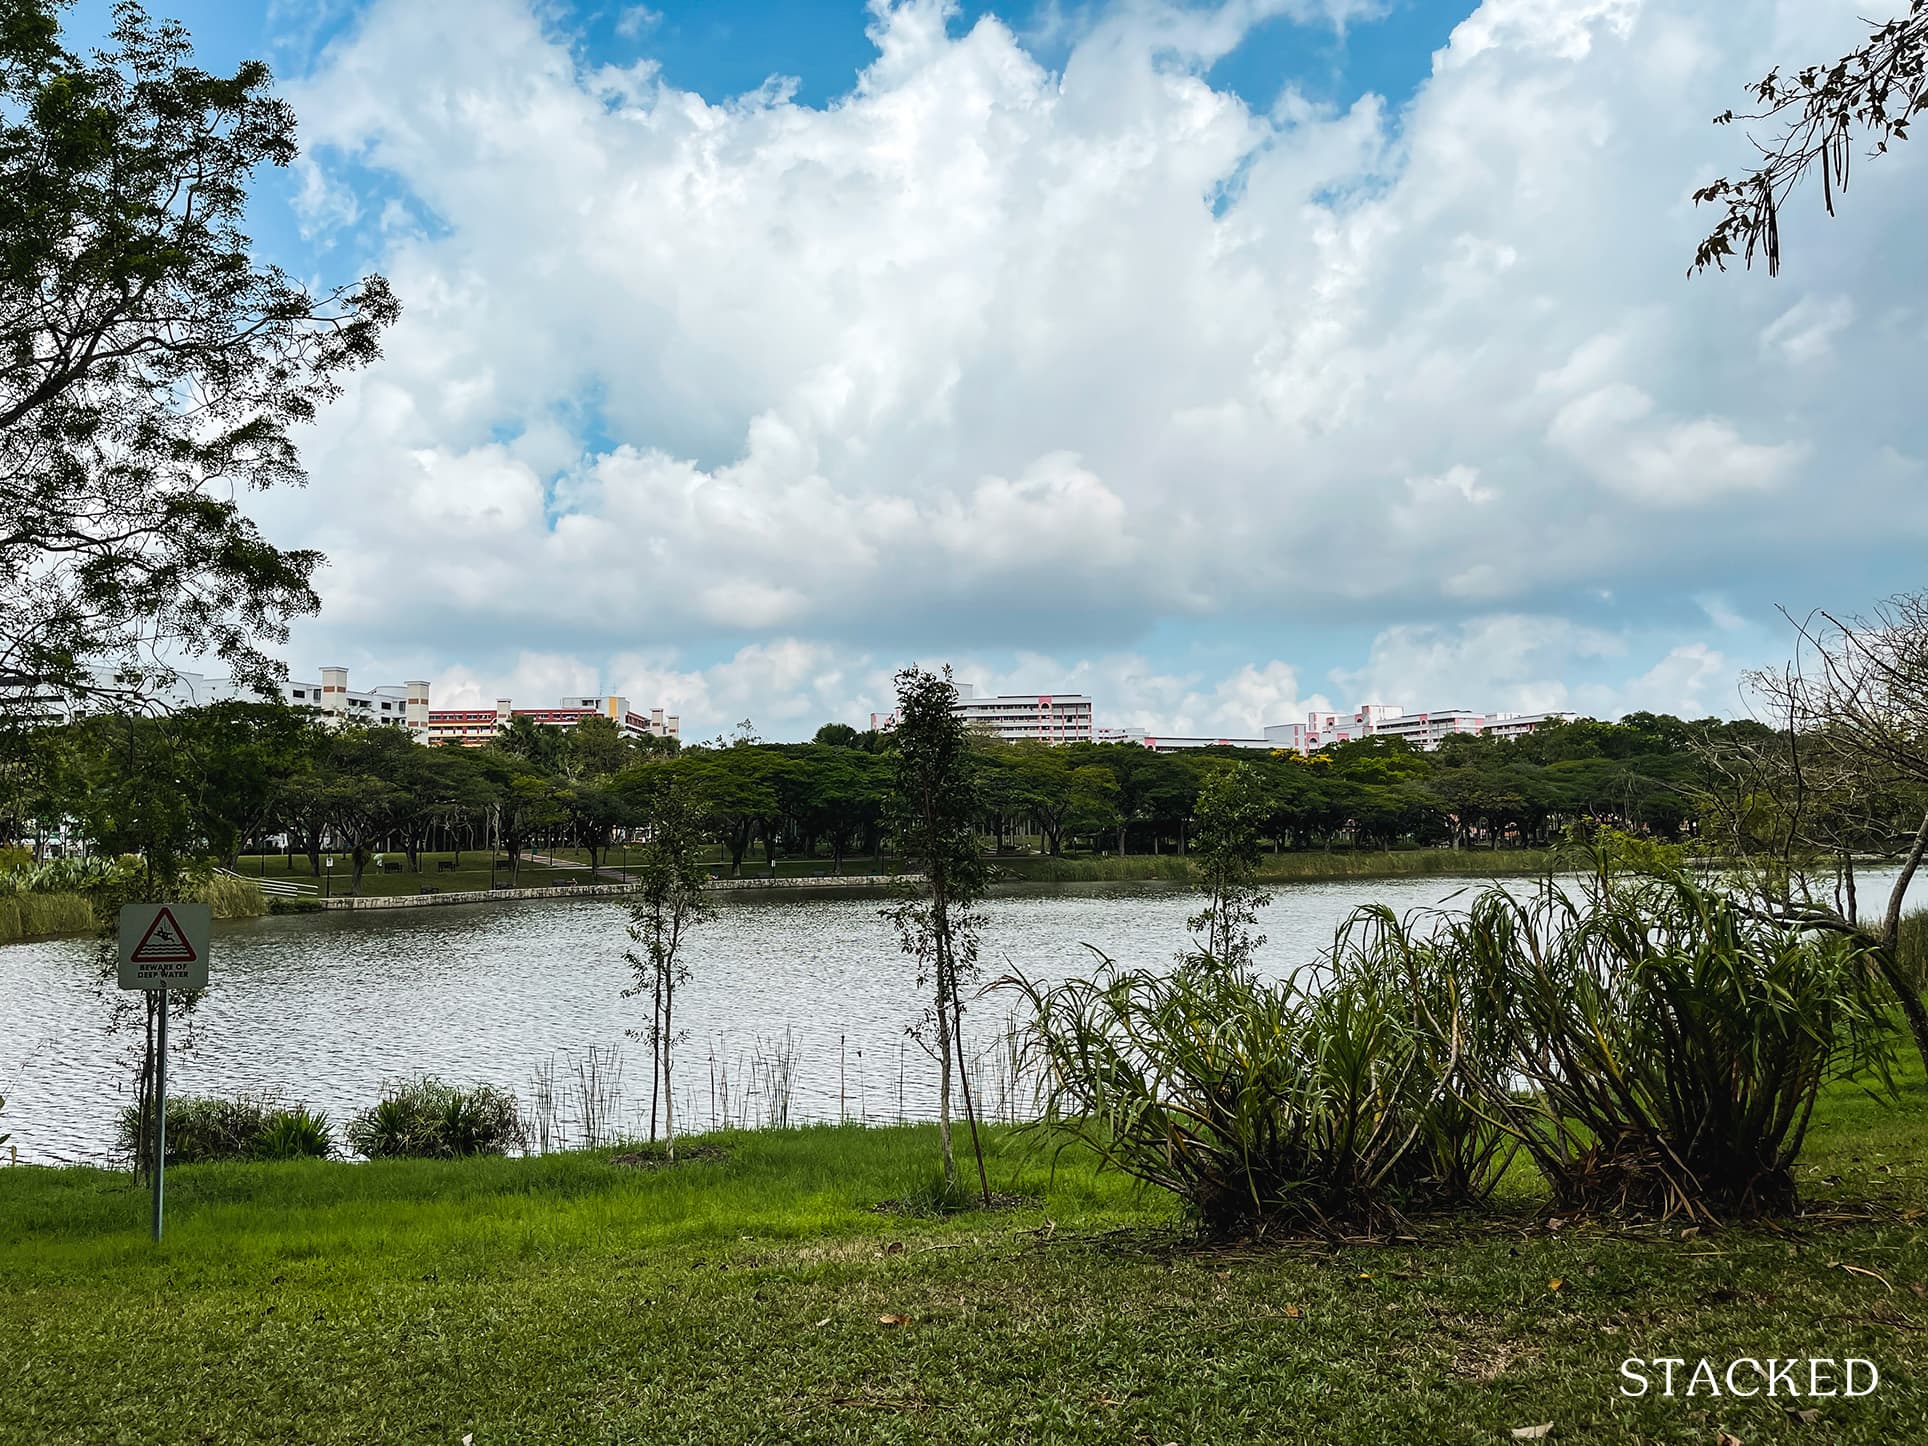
point(1848, 772)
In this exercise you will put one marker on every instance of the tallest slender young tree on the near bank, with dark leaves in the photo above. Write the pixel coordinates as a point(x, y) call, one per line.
point(936, 807)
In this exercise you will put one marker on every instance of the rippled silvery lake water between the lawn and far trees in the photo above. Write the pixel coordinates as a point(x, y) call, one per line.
point(323, 1009)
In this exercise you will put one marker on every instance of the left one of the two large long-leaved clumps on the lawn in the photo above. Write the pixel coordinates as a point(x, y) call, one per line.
point(1252, 1102)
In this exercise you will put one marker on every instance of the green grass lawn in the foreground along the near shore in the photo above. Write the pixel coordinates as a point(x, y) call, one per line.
point(745, 1300)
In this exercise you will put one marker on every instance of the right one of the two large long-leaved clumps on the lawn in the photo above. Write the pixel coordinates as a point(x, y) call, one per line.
point(1653, 1046)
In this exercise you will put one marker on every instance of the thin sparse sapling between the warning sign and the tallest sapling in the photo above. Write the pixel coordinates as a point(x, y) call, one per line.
point(670, 901)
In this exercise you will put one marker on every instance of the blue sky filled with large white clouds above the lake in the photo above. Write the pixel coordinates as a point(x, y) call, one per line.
point(1216, 360)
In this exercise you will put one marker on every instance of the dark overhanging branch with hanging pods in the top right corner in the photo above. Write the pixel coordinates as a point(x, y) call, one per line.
point(1827, 113)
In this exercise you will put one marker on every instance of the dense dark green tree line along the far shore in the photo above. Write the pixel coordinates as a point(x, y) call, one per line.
point(227, 778)
